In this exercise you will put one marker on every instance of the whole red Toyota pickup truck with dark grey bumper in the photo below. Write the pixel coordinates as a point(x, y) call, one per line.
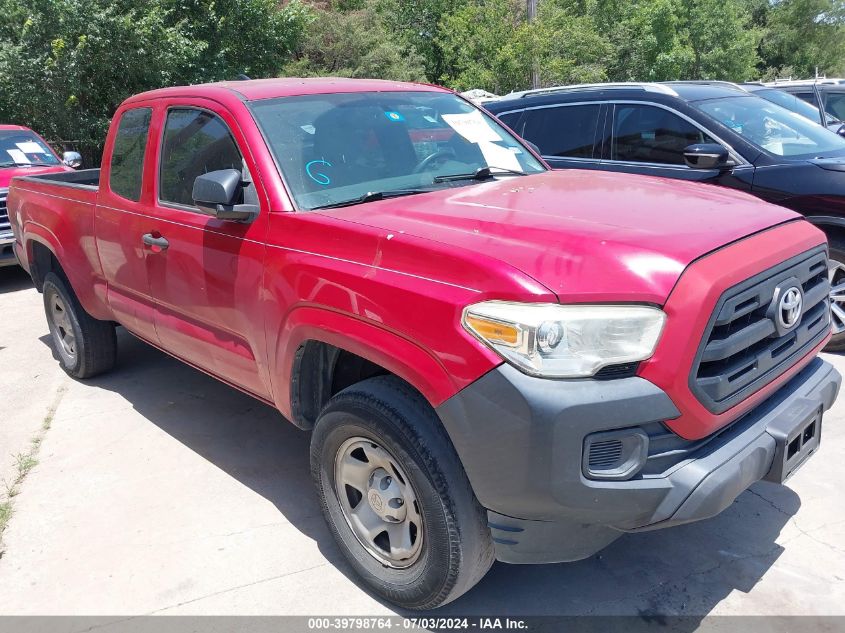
point(496, 361)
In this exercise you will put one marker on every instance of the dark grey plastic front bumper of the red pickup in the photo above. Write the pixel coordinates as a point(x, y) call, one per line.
point(521, 440)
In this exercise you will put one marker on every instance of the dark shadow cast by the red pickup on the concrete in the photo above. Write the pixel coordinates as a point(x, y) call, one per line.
point(681, 571)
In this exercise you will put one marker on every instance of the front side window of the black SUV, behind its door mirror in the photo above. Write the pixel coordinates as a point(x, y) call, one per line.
point(648, 134)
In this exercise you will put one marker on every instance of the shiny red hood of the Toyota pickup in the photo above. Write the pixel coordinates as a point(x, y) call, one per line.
point(585, 235)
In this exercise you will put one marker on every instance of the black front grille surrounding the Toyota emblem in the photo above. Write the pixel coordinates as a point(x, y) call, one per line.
point(745, 347)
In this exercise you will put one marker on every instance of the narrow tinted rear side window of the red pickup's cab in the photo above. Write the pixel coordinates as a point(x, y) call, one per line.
point(130, 146)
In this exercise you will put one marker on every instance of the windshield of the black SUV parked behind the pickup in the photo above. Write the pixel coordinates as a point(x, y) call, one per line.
point(772, 128)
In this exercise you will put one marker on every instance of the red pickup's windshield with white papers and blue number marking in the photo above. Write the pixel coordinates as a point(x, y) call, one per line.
point(334, 148)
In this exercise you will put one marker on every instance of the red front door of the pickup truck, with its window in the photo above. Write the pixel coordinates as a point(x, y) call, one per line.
point(206, 274)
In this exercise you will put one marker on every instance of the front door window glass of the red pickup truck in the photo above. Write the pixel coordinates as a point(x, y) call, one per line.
point(195, 143)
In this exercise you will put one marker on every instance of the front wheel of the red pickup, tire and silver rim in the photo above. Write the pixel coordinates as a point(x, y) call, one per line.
point(454, 549)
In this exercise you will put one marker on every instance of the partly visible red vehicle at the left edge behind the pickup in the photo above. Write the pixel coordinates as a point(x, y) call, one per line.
point(23, 152)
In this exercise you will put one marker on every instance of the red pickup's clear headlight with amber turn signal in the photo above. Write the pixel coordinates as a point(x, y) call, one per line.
point(572, 341)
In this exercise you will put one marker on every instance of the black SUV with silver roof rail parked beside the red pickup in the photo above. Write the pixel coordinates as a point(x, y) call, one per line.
point(711, 132)
